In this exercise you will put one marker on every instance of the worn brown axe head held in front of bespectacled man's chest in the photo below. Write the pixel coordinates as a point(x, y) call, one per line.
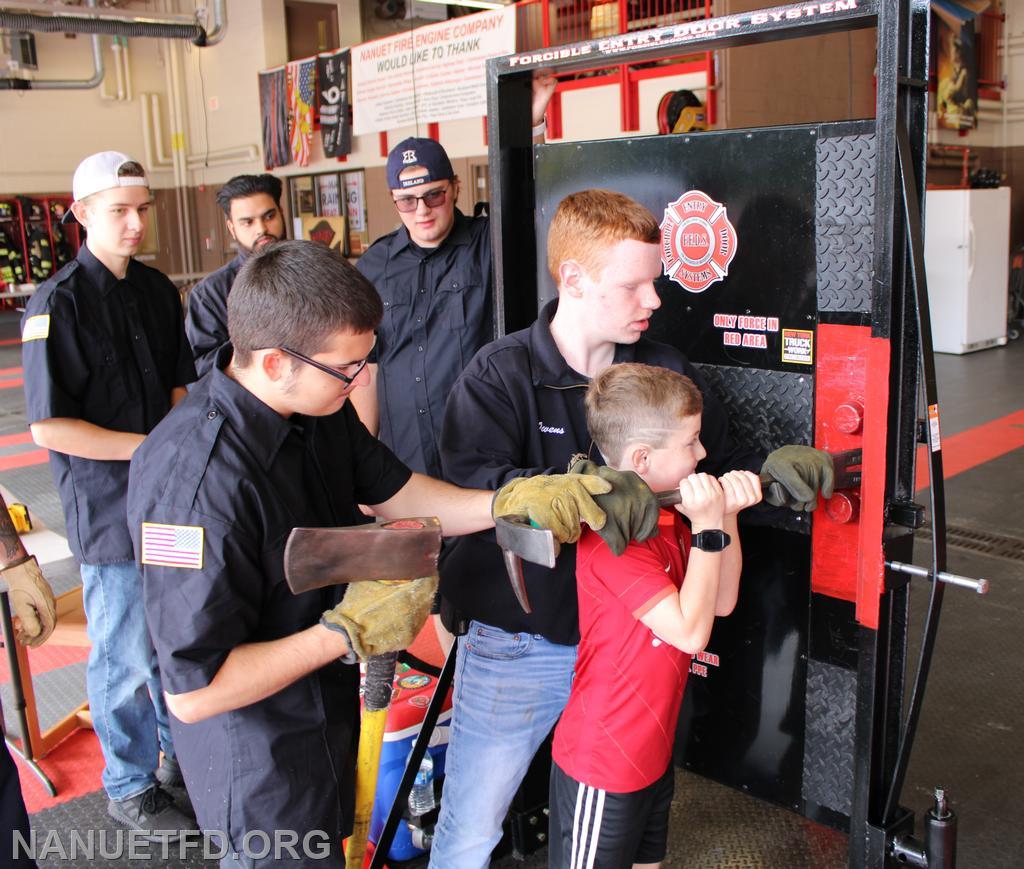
point(403, 549)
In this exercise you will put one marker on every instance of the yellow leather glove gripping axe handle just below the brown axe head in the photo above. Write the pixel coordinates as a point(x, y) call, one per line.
point(379, 617)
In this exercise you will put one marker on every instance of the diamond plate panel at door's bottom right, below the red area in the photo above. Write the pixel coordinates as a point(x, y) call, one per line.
point(829, 736)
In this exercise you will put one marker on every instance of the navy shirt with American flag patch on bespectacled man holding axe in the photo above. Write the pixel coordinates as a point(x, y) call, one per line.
point(215, 493)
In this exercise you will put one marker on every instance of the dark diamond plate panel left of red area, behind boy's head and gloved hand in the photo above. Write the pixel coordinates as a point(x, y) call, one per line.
point(766, 410)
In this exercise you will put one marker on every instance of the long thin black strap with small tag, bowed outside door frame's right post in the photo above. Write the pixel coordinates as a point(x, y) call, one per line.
point(936, 487)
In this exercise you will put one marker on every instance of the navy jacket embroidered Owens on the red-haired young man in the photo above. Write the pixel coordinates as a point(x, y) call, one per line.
point(519, 411)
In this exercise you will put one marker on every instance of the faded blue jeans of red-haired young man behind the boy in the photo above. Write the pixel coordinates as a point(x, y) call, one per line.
point(509, 691)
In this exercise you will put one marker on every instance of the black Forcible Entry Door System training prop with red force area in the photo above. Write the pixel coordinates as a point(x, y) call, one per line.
point(790, 255)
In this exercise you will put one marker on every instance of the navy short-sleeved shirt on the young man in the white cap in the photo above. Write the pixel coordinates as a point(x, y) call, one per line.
point(109, 353)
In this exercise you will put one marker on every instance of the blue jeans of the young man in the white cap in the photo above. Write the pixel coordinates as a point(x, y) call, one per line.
point(126, 700)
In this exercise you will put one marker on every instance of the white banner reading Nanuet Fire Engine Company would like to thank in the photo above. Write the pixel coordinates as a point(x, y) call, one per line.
point(435, 73)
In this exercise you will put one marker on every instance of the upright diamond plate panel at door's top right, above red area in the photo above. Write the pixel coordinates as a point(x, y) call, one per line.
point(844, 223)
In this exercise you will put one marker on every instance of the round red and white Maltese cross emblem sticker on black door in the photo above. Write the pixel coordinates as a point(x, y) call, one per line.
point(698, 242)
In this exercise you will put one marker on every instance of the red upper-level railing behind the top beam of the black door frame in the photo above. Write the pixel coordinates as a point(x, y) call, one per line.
point(542, 24)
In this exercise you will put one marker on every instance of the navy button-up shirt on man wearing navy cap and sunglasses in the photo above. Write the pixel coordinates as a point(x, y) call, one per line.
point(438, 314)
